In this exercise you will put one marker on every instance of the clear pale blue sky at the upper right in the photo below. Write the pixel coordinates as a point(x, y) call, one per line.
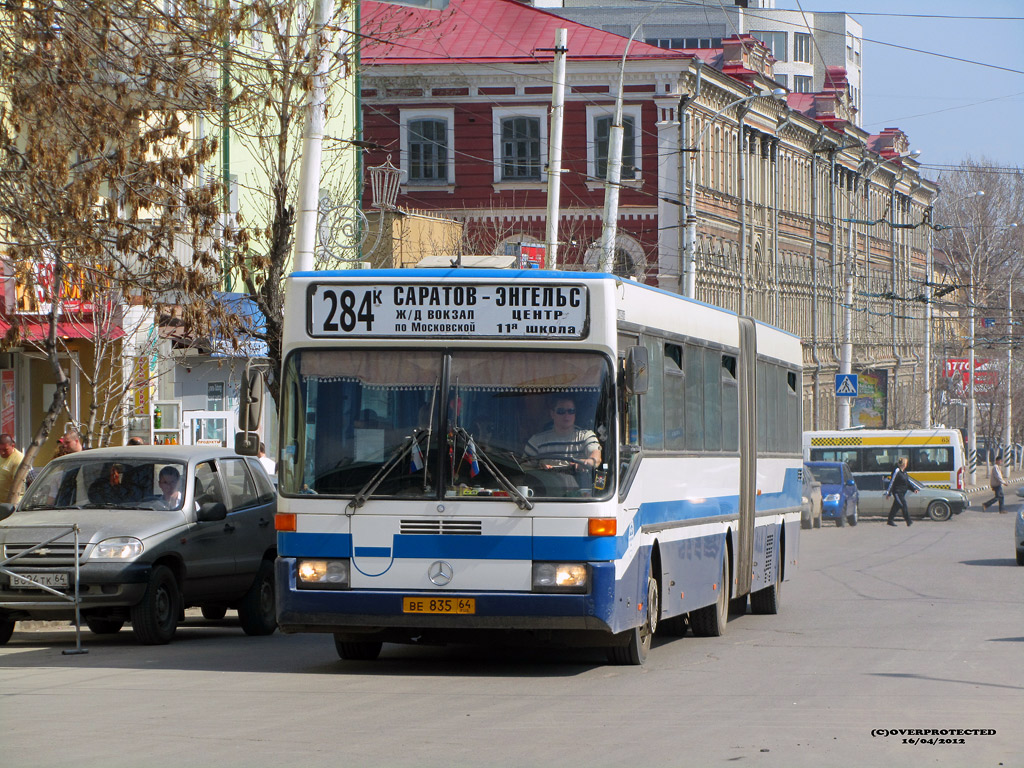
point(951, 110)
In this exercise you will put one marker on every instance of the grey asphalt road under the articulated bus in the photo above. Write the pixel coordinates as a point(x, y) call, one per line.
point(882, 628)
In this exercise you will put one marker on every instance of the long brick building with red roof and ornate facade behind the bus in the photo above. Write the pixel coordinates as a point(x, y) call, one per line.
point(461, 101)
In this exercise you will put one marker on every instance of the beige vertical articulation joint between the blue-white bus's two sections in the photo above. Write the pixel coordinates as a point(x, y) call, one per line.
point(748, 454)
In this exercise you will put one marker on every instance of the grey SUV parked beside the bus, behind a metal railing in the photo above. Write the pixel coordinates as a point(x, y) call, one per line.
point(161, 529)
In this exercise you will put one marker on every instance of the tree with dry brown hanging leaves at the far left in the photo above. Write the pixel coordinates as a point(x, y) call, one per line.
point(102, 187)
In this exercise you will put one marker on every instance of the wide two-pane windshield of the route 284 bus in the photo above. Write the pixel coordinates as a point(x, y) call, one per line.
point(413, 423)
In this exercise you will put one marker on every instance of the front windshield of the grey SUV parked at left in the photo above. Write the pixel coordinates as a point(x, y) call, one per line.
point(103, 484)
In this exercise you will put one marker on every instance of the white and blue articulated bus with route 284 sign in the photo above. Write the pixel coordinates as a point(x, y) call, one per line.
point(472, 454)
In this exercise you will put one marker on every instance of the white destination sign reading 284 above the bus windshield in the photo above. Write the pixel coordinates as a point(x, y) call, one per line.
point(519, 312)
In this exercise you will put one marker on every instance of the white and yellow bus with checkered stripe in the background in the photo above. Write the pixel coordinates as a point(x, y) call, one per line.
point(935, 457)
